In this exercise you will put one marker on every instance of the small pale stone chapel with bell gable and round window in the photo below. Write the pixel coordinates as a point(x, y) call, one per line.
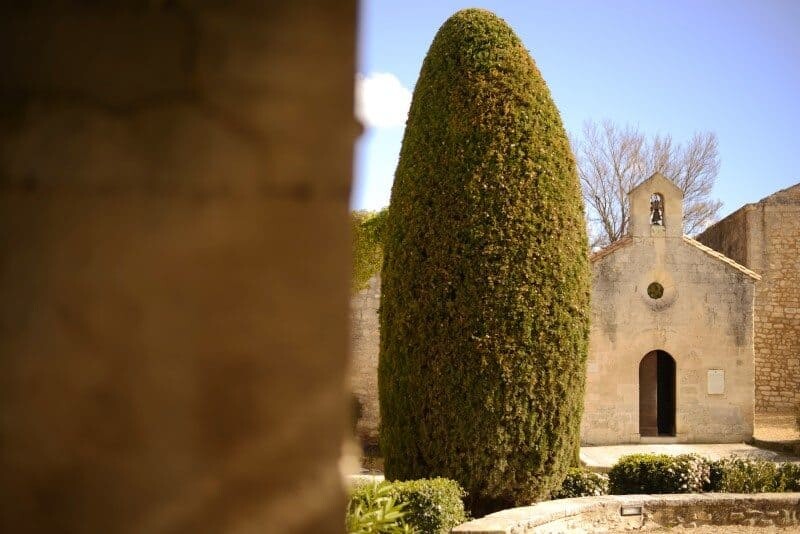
point(671, 342)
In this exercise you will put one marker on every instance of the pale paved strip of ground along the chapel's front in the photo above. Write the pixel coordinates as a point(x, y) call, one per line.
point(602, 458)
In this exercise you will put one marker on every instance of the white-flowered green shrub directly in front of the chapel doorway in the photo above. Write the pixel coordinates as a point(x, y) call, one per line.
point(658, 473)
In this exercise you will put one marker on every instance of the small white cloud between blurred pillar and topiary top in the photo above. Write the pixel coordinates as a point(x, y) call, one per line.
point(381, 100)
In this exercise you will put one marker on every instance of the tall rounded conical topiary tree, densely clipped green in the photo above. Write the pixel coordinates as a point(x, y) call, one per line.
point(484, 317)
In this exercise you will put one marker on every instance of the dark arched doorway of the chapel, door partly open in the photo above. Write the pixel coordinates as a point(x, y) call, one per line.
point(657, 394)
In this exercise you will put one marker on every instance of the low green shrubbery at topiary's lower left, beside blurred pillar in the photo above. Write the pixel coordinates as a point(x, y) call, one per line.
point(429, 506)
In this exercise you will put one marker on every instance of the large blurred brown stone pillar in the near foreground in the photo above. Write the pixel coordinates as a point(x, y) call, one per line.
point(174, 182)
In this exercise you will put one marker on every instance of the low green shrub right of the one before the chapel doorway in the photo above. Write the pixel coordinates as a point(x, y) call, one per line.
point(743, 475)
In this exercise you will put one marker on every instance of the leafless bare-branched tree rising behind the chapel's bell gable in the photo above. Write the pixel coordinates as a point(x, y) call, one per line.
point(612, 160)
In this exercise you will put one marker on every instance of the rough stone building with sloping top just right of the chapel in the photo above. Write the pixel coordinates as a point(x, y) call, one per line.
point(766, 238)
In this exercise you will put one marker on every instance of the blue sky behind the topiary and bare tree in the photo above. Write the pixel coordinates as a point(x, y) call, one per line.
point(670, 67)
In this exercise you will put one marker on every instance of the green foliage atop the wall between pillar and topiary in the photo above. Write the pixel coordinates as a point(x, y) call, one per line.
point(366, 230)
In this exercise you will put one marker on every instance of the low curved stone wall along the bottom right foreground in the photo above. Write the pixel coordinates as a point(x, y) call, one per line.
point(612, 513)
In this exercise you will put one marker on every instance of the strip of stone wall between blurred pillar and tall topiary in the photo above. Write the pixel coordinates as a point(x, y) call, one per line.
point(364, 347)
